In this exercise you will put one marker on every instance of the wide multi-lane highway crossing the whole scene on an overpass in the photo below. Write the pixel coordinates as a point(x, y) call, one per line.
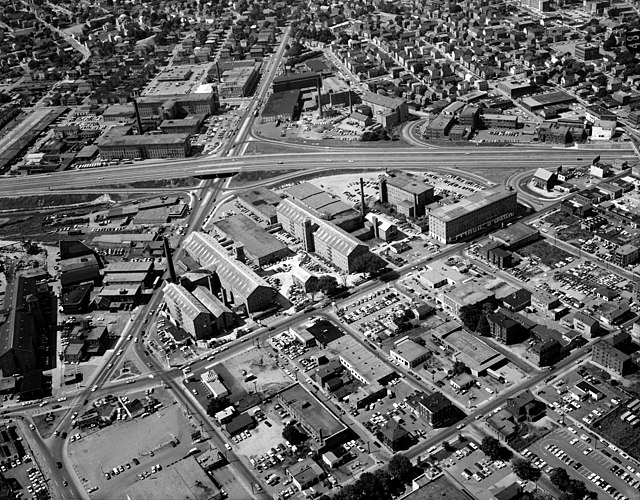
point(506, 159)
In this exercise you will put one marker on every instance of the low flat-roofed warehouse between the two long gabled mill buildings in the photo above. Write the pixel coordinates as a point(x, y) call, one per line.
point(260, 247)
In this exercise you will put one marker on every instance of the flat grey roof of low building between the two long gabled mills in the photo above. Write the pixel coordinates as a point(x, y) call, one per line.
point(256, 240)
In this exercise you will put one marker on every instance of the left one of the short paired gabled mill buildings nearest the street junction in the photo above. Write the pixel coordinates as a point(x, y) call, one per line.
point(188, 312)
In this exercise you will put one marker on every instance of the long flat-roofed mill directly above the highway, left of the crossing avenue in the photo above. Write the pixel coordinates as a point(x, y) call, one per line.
point(116, 144)
